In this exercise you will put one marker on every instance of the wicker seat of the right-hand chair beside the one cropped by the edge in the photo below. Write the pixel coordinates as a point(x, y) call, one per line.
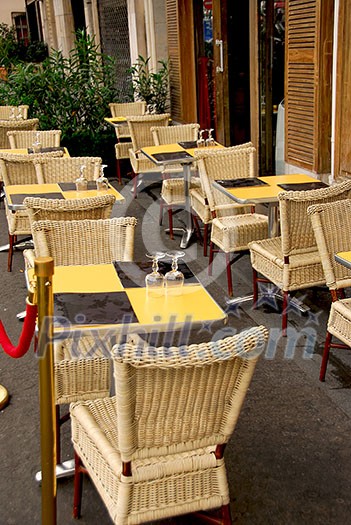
point(303, 271)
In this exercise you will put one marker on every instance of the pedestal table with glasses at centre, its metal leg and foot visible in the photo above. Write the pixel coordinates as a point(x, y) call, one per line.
point(168, 154)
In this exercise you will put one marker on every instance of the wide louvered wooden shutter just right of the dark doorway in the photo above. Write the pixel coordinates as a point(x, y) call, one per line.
point(309, 30)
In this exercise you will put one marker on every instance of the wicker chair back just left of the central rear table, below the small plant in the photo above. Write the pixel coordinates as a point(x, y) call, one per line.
point(140, 129)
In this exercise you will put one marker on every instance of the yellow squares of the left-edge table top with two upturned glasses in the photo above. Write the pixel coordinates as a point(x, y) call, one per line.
point(37, 189)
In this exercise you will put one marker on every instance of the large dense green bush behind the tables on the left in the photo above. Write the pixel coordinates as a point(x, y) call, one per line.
point(69, 93)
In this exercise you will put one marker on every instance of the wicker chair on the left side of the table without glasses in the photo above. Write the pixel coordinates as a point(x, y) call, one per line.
point(232, 227)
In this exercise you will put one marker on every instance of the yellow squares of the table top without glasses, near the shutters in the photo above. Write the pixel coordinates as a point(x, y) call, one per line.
point(269, 193)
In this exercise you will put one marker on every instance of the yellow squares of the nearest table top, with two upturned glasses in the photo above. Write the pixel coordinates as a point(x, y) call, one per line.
point(170, 310)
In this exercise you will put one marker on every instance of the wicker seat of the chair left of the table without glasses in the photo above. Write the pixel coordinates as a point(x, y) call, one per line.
point(235, 232)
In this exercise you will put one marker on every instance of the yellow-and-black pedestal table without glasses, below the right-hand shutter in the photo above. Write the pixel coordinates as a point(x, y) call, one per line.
point(265, 190)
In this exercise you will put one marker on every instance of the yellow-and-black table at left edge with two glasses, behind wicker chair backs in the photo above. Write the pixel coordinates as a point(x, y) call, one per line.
point(16, 193)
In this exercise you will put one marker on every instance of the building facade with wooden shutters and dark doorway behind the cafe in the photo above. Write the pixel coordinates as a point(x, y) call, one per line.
point(273, 72)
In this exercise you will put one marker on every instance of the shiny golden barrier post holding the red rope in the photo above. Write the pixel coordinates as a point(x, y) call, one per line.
point(44, 269)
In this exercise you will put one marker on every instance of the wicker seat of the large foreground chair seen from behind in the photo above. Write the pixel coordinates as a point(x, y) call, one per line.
point(156, 487)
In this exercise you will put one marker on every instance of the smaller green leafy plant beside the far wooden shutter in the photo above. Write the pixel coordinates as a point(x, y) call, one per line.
point(152, 87)
